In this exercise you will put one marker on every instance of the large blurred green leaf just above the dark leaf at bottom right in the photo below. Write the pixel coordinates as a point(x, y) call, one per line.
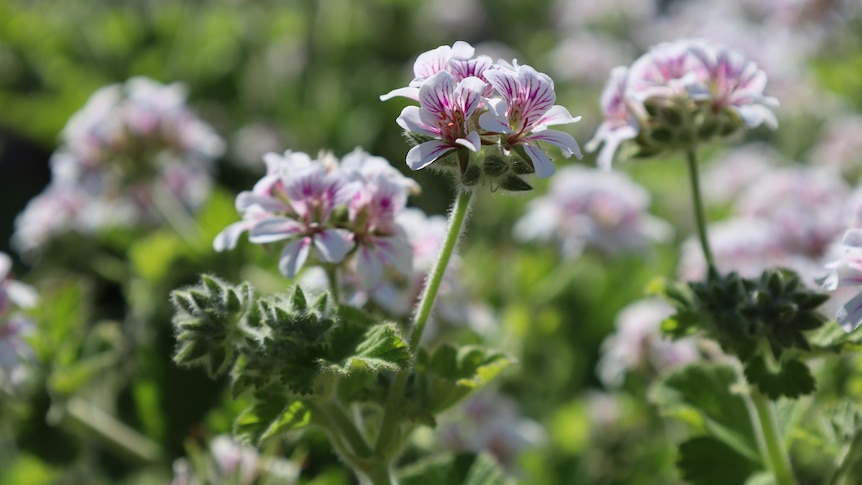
point(700, 395)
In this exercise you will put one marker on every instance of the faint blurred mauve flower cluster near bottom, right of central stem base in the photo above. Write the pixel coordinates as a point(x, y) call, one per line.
point(490, 422)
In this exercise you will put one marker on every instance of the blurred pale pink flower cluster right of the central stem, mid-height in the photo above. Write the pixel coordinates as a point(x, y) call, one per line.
point(591, 208)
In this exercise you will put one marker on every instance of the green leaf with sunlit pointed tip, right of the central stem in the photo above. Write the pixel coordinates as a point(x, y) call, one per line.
point(450, 374)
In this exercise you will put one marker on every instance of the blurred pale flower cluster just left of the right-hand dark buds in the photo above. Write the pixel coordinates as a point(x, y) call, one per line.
point(638, 343)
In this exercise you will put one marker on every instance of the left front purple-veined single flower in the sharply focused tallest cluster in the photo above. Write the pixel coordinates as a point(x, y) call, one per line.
point(445, 107)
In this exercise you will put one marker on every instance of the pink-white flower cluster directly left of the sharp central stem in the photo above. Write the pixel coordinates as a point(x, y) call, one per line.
point(328, 210)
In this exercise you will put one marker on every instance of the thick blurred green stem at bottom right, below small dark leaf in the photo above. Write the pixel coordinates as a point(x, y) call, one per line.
point(769, 440)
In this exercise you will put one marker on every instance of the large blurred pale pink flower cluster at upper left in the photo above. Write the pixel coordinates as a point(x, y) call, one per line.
point(132, 147)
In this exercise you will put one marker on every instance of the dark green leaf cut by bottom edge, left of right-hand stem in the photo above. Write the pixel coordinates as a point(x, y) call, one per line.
point(709, 461)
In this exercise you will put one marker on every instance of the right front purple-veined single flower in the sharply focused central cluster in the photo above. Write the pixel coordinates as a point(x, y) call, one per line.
point(524, 113)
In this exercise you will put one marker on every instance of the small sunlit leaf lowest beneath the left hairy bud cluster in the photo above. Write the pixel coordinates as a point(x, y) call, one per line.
point(273, 412)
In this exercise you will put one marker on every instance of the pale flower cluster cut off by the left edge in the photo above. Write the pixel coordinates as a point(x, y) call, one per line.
point(14, 326)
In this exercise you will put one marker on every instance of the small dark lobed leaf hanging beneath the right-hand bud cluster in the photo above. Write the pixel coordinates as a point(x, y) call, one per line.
point(792, 380)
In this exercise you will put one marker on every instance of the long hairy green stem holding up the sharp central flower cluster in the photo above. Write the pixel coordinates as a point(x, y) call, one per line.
point(391, 412)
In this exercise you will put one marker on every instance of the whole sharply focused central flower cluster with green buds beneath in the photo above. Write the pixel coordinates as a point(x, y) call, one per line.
point(468, 102)
